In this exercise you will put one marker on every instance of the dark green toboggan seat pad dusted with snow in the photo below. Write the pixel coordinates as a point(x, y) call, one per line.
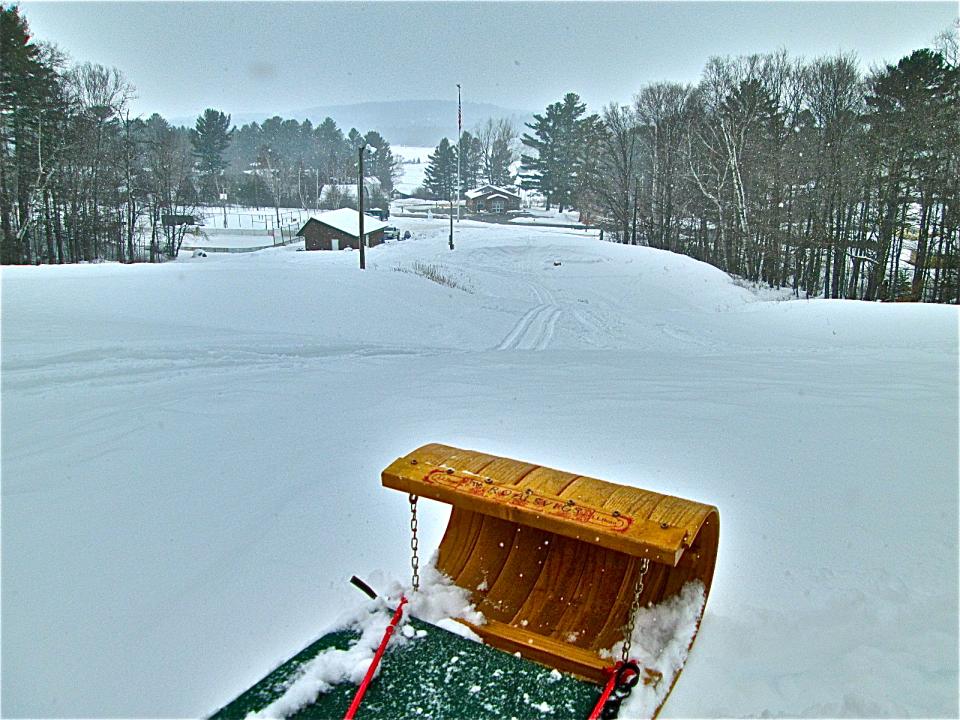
point(435, 674)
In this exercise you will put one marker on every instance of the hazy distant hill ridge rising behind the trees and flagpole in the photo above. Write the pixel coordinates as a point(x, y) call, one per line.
point(401, 122)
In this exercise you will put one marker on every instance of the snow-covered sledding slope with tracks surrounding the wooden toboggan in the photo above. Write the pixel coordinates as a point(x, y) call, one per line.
point(191, 457)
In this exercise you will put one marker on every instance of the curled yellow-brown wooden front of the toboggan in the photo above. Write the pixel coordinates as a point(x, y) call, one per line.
point(552, 558)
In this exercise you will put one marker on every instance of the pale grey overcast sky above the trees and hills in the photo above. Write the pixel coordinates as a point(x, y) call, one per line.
point(276, 57)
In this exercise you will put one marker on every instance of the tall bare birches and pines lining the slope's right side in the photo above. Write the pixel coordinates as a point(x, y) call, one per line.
point(808, 175)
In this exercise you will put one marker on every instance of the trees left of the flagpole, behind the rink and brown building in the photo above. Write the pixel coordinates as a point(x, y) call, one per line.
point(83, 180)
